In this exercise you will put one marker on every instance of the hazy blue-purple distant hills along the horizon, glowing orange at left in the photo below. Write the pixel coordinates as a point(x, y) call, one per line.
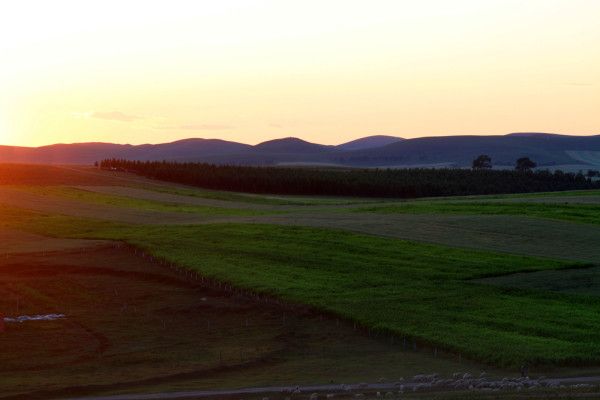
point(548, 150)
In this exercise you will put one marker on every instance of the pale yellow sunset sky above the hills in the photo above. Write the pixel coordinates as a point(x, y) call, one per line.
point(327, 71)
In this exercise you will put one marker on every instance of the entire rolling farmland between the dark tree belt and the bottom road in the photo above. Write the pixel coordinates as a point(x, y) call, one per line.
point(302, 289)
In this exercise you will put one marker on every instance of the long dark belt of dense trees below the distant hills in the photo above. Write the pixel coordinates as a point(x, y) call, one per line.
point(401, 183)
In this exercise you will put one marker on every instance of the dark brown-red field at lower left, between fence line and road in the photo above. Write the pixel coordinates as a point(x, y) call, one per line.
point(130, 324)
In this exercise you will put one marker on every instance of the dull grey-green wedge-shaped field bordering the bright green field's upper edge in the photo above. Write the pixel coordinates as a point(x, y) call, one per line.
point(502, 233)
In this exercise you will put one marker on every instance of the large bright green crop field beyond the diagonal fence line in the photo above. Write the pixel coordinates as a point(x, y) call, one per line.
point(417, 290)
